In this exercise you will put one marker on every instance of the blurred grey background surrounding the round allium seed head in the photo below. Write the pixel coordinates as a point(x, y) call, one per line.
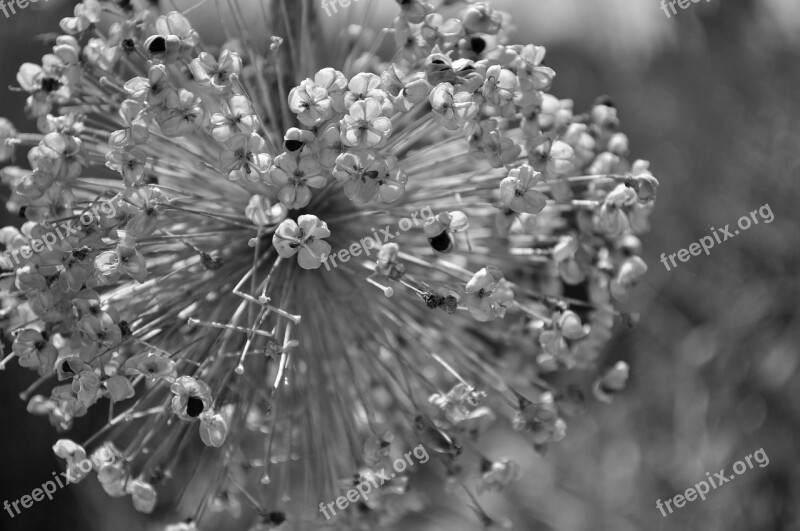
point(711, 96)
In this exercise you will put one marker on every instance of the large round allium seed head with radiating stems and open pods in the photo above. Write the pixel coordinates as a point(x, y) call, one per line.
point(308, 259)
